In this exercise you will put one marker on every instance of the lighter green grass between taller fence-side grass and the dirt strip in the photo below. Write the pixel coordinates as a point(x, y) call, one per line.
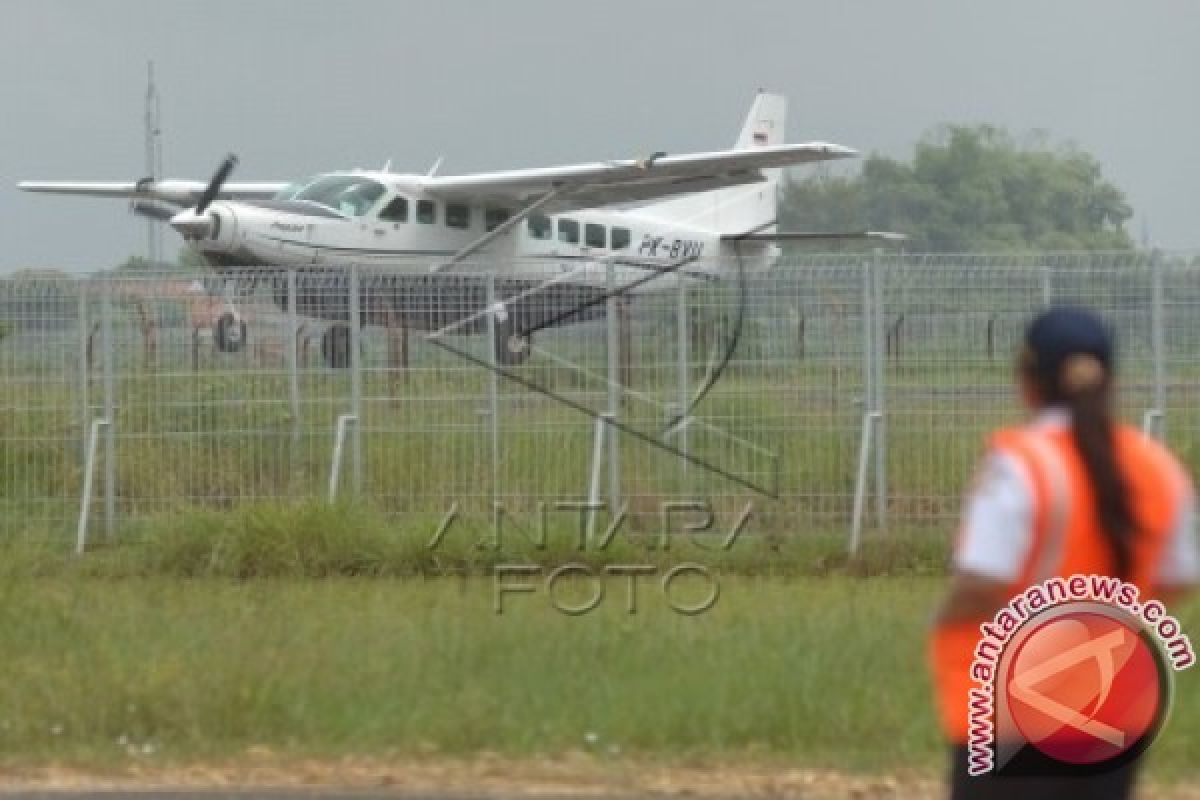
point(809, 672)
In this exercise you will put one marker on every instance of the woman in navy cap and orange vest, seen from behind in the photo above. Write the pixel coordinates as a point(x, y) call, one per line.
point(1070, 494)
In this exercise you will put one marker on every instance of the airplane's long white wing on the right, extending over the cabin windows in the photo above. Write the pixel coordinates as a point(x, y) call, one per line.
point(585, 187)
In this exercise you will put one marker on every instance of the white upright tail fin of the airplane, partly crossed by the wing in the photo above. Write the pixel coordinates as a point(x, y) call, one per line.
point(739, 209)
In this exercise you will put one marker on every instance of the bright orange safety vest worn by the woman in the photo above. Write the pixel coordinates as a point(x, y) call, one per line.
point(1067, 538)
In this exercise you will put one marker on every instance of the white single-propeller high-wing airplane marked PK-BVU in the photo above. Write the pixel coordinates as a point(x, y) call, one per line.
point(562, 236)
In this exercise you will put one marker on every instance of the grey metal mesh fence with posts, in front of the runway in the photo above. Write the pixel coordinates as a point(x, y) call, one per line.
point(860, 390)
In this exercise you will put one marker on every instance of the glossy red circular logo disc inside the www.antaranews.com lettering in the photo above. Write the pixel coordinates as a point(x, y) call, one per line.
point(1087, 688)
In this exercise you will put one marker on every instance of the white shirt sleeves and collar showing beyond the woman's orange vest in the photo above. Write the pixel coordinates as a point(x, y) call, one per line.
point(998, 522)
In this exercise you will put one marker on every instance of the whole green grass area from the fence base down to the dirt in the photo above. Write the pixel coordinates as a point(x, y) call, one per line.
point(229, 637)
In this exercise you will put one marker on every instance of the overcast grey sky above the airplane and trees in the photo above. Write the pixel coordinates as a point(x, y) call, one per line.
point(296, 87)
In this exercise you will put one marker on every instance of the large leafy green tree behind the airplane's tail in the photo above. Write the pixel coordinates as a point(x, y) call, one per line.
point(971, 189)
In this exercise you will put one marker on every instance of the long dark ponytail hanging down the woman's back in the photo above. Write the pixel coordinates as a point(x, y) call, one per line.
point(1084, 386)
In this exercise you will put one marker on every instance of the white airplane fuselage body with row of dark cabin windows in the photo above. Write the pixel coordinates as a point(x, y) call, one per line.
point(403, 228)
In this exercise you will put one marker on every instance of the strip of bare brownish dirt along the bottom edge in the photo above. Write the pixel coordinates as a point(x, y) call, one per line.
point(573, 775)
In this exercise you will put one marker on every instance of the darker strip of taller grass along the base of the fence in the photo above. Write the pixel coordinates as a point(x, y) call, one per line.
point(319, 540)
